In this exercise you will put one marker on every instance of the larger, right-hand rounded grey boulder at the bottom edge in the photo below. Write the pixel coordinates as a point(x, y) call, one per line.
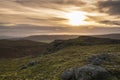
point(91, 72)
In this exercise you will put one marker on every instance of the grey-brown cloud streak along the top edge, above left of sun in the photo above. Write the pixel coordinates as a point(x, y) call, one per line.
point(50, 4)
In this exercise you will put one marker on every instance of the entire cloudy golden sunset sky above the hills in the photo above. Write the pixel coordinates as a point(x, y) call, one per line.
point(55, 17)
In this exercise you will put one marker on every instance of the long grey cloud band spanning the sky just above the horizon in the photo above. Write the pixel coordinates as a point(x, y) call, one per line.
point(25, 30)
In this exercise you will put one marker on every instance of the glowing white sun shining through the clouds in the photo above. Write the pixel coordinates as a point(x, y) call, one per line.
point(76, 18)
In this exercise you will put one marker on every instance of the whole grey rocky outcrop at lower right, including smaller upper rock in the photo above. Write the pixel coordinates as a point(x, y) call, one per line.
point(92, 71)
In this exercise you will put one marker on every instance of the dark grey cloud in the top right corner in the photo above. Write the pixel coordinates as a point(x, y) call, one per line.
point(111, 6)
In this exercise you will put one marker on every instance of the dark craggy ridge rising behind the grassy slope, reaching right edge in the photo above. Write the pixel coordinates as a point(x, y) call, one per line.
point(82, 41)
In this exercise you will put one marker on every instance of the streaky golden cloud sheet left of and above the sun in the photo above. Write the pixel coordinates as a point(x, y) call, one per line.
point(42, 12)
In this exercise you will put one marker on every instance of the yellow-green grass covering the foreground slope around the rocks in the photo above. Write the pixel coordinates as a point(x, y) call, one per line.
point(52, 65)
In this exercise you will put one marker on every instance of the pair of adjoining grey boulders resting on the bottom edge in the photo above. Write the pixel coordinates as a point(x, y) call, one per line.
point(88, 72)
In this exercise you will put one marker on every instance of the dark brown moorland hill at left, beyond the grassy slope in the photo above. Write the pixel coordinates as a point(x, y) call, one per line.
point(20, 48)
